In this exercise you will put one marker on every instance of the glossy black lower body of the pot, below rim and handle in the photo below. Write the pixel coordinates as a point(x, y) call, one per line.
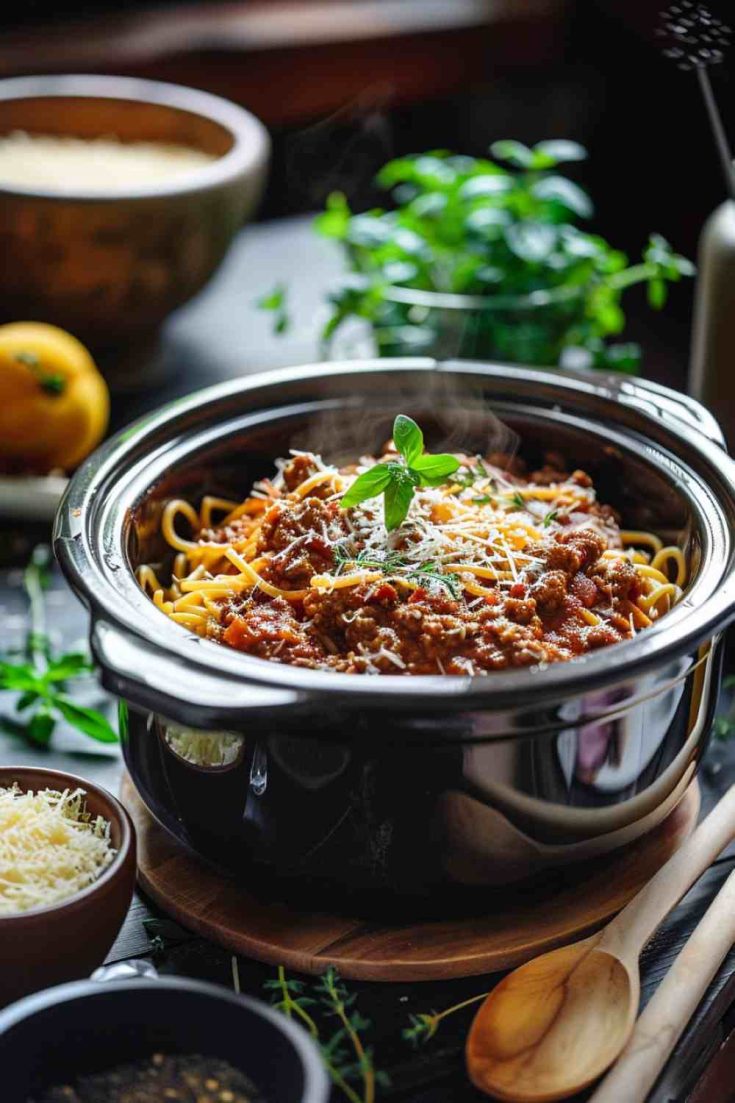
point(419, 819)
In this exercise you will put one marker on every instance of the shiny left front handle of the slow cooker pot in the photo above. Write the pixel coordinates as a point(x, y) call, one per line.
point(133, 670)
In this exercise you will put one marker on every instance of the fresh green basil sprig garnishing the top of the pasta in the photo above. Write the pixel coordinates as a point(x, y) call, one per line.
point(398, 480)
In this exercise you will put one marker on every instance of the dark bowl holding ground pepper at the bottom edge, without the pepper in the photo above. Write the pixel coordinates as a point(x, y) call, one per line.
point(52, 1037)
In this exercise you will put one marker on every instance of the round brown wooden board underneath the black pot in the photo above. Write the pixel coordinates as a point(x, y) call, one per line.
point(207, 902)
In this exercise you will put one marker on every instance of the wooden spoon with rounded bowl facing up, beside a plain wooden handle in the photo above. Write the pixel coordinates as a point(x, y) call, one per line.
point(553, 1026)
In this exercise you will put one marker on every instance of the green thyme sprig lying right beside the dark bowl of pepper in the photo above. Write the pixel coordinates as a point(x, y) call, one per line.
point(348, 1061)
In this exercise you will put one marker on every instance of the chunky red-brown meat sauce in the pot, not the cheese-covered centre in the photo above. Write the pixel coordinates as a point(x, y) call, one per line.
point(385, 627)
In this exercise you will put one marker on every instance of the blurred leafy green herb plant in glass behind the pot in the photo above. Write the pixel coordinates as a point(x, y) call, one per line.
point(482, 260)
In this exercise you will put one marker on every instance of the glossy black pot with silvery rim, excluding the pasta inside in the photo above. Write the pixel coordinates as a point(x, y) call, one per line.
point(420, 787)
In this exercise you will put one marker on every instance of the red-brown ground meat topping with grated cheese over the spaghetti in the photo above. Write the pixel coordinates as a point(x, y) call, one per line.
point(537, 613)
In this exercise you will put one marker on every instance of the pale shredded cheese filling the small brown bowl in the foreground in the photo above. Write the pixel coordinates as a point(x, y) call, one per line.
point(51, 848)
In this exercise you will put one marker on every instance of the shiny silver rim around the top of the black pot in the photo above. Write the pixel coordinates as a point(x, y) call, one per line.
point(594, 670)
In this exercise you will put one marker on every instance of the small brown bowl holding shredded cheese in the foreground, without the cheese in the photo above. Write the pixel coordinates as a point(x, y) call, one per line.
point(69, 940)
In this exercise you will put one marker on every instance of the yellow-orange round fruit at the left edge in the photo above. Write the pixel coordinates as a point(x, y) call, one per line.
point(55, 404)
